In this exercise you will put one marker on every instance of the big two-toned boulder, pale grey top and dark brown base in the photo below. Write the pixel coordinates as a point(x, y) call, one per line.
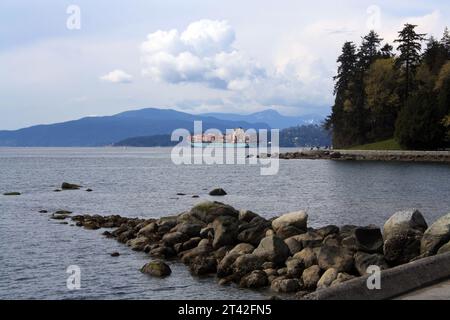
point(402, 234)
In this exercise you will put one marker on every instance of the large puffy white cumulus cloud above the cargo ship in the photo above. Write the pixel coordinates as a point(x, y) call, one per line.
point(203, 53)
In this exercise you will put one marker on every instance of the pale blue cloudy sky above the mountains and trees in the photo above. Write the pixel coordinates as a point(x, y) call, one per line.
point(63, 60)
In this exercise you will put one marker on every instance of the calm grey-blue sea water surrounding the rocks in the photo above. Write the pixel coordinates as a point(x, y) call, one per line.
point(35, 251)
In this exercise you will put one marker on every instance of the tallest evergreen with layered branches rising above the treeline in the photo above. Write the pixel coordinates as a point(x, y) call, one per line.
point(409, 46)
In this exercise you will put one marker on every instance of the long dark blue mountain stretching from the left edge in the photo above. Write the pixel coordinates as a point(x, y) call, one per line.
point(101, 131)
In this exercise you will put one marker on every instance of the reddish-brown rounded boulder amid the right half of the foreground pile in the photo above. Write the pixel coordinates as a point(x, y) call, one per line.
point(339, 258)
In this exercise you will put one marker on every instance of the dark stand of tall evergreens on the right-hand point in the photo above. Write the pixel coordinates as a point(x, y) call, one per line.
point(380, 94)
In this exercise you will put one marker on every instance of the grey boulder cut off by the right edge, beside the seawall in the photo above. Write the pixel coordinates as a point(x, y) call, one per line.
point(435, 236)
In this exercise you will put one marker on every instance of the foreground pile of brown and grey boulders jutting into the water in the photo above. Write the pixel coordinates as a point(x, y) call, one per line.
point(282, 253)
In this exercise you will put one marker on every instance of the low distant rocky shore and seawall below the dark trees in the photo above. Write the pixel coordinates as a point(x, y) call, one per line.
point(404, 156)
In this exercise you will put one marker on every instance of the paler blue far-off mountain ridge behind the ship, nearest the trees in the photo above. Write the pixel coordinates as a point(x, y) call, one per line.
point(271, 117)
